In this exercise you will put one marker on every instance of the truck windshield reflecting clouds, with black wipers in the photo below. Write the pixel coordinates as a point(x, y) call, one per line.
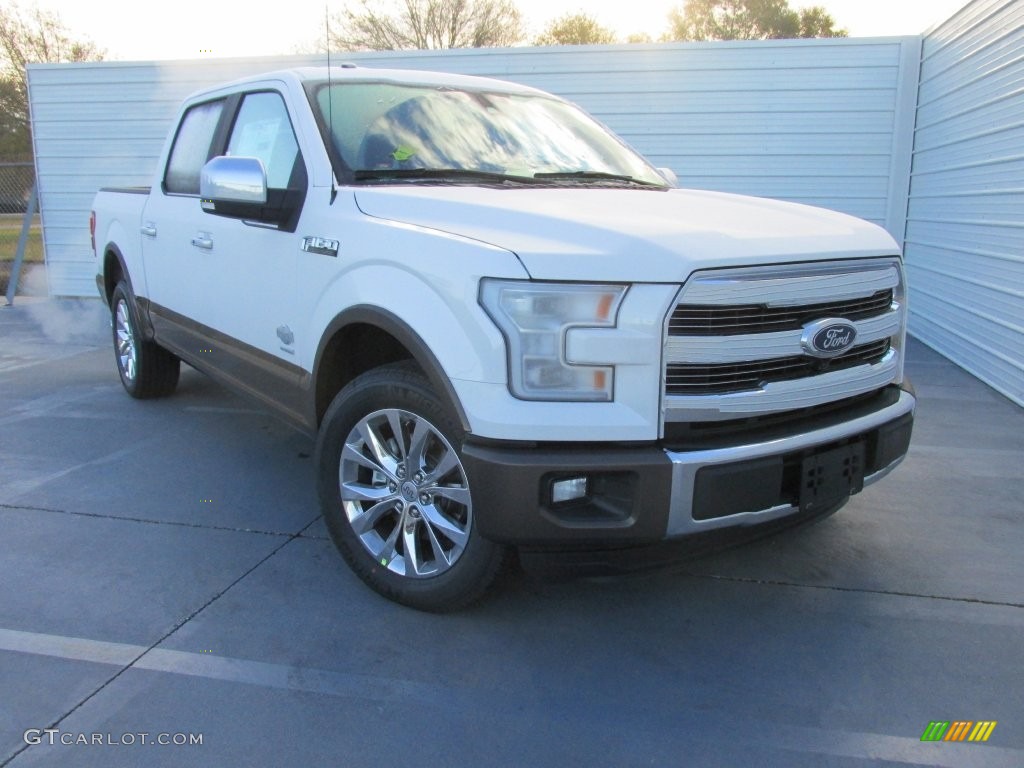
point(388, 132)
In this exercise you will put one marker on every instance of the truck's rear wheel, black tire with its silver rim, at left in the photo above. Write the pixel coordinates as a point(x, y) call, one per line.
point(147, 370)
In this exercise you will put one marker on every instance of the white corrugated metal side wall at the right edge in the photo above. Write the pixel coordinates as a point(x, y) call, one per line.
point(965, 234)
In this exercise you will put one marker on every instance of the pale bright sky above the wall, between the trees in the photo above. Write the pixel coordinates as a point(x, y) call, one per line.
point(196, 29)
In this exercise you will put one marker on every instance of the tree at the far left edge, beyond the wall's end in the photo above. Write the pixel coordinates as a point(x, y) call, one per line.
point(30, 36)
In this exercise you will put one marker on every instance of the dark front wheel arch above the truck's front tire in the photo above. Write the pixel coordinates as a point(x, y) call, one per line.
point(388, 339)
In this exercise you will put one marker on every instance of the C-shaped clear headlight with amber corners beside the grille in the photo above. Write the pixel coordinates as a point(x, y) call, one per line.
point(534, 319)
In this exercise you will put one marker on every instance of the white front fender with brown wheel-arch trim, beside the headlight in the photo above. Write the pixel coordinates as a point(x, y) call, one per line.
point(420, 287)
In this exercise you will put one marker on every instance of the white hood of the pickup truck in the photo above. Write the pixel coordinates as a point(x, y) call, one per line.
point(628, 235)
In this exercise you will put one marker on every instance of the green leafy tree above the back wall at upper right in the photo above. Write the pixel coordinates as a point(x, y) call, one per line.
point(749, 20)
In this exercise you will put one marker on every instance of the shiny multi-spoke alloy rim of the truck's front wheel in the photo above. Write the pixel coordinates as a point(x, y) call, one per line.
point(406, 494)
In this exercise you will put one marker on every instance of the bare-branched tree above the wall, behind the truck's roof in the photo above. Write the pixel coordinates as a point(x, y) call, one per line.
point(420, 25)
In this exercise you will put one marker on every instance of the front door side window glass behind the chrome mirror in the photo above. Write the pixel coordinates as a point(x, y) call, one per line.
point(264, 131)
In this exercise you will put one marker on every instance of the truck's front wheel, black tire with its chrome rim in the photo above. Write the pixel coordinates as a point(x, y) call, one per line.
point(405, 523)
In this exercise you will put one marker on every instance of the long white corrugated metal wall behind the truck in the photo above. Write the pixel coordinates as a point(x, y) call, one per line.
point(826, 122)
